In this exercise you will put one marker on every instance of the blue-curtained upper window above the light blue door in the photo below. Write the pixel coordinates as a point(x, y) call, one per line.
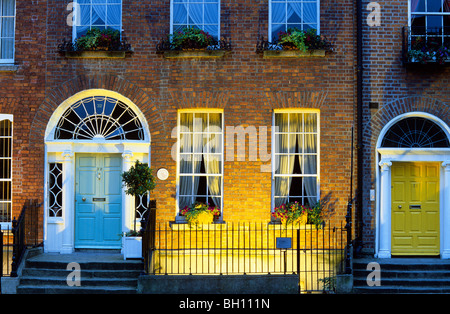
point(101, 14)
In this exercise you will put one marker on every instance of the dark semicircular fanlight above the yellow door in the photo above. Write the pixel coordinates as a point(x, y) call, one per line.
point(415, 132)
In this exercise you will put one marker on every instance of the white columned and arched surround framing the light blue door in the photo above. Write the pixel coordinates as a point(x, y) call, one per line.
point(59, 231)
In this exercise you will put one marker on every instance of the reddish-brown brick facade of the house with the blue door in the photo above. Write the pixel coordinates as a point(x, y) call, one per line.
point(246, 86)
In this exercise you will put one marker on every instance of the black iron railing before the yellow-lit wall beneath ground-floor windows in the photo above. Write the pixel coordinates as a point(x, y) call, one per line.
point(315, 255)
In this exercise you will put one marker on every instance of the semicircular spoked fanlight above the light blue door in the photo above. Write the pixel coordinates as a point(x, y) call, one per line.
point(99, 117)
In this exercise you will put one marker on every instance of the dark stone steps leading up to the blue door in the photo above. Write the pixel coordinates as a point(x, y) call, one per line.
point(99, 274)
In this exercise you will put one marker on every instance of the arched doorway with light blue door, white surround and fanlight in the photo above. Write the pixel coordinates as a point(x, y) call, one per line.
point(90, 139)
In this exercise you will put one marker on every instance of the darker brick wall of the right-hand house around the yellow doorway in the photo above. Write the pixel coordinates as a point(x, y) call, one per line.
point(394, 89)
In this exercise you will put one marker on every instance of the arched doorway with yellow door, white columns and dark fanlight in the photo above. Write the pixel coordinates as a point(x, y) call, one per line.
point(413, 180)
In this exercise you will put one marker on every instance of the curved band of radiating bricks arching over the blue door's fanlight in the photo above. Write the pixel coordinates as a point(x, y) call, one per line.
point(80, 83)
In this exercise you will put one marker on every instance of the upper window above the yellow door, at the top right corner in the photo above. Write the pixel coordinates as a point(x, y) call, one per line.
point(431, 18)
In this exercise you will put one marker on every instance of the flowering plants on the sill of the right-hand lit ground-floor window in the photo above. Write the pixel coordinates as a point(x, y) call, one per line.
point(294, 213)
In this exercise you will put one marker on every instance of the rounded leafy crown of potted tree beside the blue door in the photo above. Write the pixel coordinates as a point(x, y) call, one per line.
point(139, 179)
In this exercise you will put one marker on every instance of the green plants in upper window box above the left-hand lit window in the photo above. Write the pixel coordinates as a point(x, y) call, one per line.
point(191, 38)
